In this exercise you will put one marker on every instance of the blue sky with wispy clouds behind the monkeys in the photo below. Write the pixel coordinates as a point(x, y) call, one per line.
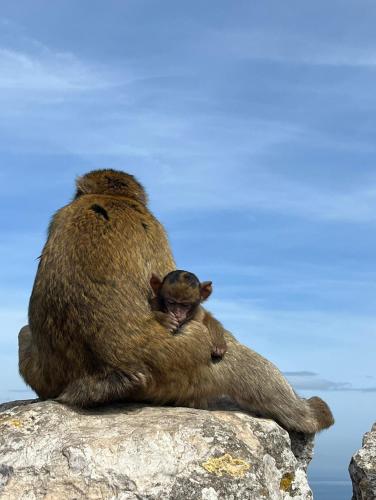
point(251, 126)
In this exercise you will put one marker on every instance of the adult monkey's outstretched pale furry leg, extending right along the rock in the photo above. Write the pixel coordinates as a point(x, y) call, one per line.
point(250, 380)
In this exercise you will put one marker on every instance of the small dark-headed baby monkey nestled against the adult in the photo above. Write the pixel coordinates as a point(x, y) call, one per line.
point(177, 300)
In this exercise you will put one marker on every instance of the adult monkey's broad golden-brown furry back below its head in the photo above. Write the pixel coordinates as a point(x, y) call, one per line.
point(91, 287)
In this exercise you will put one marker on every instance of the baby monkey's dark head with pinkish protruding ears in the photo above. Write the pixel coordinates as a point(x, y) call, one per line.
point(180, 293)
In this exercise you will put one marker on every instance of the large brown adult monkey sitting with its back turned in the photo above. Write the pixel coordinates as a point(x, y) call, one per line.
point(93, 338)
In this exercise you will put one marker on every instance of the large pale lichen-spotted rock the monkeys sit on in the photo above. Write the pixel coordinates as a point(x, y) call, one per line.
point(50, 451)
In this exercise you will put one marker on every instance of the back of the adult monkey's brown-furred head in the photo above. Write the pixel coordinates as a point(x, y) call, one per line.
point(111, 182)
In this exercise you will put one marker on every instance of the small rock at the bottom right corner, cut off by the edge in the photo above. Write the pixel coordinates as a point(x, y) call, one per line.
point(362, 468)
